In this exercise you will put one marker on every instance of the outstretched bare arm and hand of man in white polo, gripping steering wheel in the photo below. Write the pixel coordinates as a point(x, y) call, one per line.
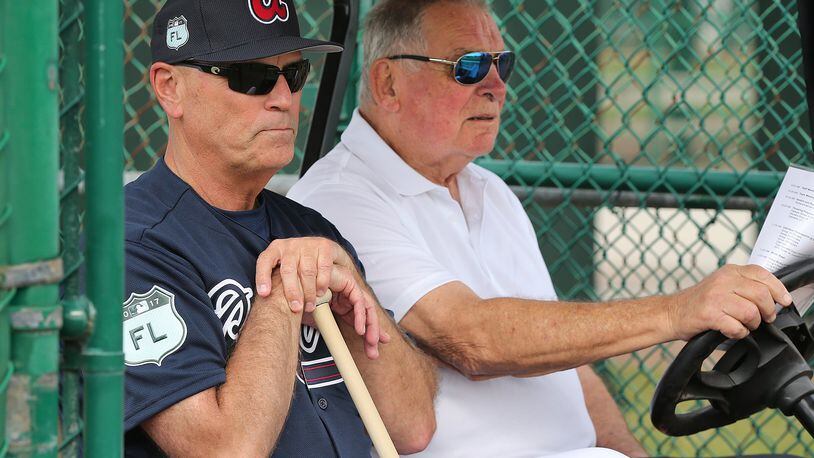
point(508, 336)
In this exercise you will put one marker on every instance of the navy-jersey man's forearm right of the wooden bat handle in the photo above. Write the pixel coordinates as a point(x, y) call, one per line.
point(402, 383)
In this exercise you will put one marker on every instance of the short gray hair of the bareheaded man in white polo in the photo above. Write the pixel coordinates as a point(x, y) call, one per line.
point(395, 27)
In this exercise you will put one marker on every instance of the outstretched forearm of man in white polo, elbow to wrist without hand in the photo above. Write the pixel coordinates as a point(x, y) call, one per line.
point(507, 336)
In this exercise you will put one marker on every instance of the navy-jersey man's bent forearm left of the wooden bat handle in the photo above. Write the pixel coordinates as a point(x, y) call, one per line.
point(252, 403)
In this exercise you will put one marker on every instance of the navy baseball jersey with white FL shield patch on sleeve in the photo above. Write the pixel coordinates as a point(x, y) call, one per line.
point(189, 288)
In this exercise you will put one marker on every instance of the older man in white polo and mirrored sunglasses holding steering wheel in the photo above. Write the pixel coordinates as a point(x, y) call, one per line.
point(450, 250)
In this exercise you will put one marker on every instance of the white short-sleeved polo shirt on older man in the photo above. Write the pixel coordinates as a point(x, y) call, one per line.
point(413, 237)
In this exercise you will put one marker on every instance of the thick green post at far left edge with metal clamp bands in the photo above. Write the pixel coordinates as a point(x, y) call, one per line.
point(31, 167)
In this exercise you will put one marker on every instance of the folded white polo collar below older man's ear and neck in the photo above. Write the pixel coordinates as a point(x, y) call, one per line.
point(366, 144)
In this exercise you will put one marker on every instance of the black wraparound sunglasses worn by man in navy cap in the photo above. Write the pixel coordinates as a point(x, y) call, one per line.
point(254, 78)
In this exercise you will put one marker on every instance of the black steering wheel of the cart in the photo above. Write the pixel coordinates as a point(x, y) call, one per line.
point(767, 369)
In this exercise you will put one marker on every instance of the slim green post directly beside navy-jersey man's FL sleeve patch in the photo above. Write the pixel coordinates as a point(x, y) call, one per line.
point(103, 362)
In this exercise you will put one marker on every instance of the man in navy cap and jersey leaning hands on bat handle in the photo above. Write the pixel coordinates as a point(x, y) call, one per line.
point(215, 364)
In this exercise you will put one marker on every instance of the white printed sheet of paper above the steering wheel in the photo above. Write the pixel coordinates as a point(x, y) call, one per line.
point(787, 235)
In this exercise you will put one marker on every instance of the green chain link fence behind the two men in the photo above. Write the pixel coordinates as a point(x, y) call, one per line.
point(644, 137)
